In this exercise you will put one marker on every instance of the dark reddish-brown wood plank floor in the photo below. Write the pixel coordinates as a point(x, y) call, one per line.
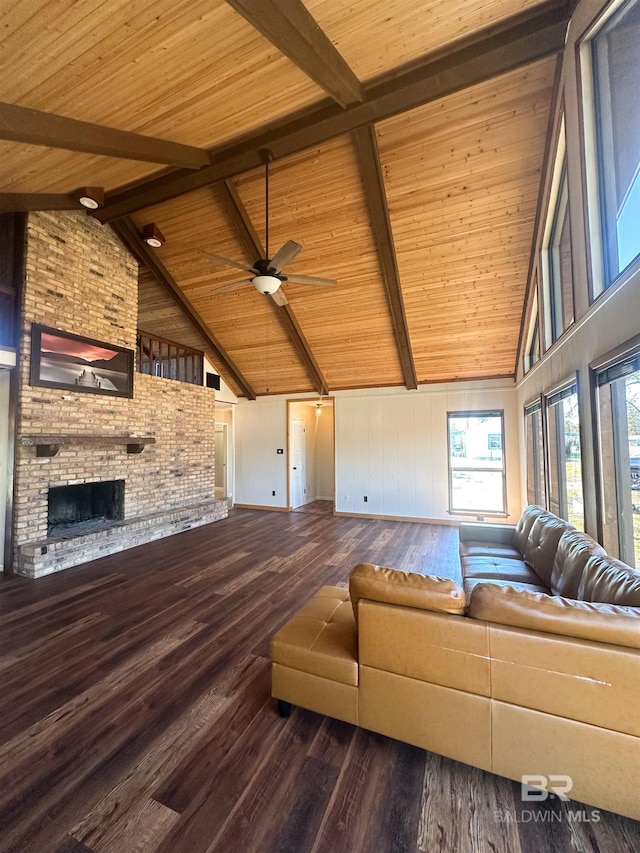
point(135, 711)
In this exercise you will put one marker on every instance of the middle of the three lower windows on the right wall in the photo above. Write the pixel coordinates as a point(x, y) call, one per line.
point(565, 464)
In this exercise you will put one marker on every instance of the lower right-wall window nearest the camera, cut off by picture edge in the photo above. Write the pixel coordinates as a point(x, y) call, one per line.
point(618, 394)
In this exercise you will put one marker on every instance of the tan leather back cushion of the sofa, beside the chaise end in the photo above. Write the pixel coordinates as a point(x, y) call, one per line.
point(393, 586)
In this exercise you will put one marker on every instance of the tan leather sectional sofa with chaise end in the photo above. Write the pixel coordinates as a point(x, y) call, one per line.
point(532, 667)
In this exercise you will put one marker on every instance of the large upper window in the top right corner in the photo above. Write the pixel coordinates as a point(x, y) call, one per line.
point(611, 64)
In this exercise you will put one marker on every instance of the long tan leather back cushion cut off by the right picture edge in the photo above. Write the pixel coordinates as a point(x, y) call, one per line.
point(553, 614)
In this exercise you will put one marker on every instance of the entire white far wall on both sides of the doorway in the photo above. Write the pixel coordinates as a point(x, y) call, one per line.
point(391, 445)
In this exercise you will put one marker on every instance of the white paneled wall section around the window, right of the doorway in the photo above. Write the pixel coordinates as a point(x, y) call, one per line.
point(391, 445)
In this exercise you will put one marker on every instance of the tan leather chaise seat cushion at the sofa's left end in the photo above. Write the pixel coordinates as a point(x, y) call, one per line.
point(321, 639)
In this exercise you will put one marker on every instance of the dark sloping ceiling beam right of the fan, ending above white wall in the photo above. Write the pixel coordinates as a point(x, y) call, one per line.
point(373, 183)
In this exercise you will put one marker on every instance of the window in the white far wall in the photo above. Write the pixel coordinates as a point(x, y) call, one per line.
point(476, 462)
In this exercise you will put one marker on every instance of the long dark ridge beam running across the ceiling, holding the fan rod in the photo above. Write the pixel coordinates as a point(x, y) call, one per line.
point(525, 38)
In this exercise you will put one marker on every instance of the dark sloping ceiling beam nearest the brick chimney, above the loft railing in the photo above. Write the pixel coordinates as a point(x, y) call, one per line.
point(130, 236)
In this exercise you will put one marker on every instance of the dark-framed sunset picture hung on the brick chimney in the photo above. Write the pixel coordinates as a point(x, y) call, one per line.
point(62, 360)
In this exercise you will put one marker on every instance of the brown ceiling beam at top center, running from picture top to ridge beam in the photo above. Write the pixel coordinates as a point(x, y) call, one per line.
point(289, 26)
